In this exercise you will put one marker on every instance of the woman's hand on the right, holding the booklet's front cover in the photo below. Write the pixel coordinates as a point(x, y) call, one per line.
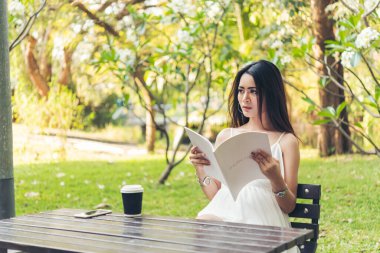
point(268, 165)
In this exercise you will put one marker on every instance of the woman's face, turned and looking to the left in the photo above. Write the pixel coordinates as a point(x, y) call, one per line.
point(247, 96)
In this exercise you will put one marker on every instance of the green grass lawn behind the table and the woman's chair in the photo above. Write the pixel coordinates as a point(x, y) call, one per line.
point(349, 221)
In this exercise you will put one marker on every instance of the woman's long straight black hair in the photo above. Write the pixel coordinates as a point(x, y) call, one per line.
point(269, 85)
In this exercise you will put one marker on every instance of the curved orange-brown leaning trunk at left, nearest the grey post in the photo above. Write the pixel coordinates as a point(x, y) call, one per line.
point(33, 69)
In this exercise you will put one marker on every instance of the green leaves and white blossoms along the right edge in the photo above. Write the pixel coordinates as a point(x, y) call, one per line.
point(356, 47)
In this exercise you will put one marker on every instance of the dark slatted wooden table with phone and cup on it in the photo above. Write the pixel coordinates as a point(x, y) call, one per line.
point(59, 231)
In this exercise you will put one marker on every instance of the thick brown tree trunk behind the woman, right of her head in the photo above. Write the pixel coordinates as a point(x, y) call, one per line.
point(329, 140)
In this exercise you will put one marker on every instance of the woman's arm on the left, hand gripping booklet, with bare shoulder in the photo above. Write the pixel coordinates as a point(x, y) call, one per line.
point(198, 159)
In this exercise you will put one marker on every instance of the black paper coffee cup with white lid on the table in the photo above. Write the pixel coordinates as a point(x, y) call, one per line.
point(132, 199)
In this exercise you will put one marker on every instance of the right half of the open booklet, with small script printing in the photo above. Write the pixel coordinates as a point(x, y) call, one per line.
point(234, 158)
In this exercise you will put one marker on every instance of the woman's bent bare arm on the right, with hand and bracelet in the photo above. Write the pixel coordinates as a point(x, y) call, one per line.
point(271, 168)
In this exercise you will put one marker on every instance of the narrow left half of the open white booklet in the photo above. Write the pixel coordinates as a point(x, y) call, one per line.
point(206, 147)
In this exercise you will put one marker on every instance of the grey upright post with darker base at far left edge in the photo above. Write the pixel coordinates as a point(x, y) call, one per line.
point(7, 204)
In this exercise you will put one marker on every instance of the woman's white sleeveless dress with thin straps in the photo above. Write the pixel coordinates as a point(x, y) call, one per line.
point(255, 204)
